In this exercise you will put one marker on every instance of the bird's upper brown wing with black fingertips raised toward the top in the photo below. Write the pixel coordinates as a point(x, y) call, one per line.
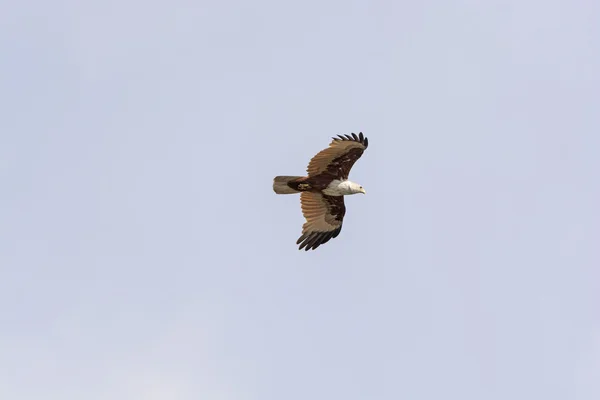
point(339, 157)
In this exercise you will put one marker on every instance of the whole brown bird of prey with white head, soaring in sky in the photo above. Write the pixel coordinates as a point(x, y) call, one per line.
point(322, 191)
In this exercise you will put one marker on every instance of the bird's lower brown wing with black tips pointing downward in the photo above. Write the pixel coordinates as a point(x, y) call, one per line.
point(324, 215)
